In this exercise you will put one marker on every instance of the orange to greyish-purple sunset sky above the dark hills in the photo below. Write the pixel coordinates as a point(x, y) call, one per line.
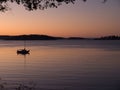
point(90, 19)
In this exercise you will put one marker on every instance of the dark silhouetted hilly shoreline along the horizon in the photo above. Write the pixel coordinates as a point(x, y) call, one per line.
point(46, 37)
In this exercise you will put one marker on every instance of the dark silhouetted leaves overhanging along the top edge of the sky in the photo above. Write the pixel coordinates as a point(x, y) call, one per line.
point(36, 4)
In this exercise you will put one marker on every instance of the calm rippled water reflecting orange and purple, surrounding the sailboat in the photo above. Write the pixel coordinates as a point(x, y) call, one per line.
point(60, 65)
